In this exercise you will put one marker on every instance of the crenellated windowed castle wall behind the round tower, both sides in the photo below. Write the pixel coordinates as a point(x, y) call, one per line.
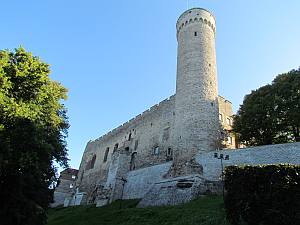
point(151, 129)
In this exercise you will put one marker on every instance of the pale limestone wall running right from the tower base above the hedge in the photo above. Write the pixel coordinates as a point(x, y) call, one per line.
point(269, 154)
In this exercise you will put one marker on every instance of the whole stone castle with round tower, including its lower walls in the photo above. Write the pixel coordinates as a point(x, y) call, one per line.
point(165, 155)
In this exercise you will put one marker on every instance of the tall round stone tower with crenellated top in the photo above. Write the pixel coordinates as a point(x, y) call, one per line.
point(196, 106)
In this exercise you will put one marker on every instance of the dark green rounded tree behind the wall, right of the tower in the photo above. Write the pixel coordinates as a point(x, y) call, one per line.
point(270, 114)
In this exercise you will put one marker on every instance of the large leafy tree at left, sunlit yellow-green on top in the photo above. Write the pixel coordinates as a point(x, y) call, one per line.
point(33, 128)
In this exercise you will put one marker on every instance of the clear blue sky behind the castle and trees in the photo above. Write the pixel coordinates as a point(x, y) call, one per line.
point(118, 58)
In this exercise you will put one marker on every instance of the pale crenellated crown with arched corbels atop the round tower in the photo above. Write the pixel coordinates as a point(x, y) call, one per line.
point(196, 15)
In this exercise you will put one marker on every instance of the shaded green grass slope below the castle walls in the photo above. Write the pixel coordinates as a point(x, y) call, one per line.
point(204, 211)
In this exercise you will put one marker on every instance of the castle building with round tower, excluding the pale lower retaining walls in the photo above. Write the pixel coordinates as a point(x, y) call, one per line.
point(176, 129)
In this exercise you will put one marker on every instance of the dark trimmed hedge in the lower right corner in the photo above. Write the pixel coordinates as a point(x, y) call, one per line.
point(263, 195)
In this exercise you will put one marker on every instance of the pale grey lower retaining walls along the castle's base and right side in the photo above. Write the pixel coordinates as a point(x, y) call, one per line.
point(150, 182)
